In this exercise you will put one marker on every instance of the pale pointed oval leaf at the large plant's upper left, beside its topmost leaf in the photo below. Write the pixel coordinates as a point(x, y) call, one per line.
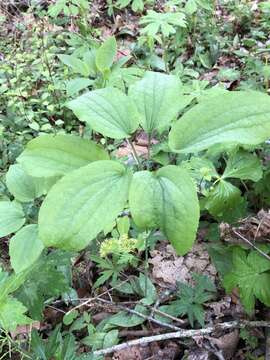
point(108, 111)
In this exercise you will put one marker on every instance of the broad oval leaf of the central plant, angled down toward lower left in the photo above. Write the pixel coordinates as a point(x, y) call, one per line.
point(82, 204)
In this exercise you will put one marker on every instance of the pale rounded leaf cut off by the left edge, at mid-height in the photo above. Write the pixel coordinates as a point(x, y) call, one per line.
point(12, 217)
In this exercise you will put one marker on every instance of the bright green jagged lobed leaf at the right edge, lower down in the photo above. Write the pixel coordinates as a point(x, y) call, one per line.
point(249, 273)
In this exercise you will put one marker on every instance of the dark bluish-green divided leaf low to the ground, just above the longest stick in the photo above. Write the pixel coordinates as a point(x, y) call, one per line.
point(191, 299)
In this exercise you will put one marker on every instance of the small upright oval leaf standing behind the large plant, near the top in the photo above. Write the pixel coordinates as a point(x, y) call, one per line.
point(106, 53)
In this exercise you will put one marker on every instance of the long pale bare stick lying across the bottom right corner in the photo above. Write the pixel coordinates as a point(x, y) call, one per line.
point(182, 334)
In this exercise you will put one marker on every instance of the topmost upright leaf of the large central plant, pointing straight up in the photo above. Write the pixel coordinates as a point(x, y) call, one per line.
point(158, 98)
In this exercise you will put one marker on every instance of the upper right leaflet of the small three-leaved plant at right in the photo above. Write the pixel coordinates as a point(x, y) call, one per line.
point(243, 165)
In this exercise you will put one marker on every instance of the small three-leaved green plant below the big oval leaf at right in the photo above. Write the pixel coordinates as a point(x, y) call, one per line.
point(223, 199)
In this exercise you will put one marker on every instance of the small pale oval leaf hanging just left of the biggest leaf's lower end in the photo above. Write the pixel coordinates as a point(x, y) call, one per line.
point(25, 248)
